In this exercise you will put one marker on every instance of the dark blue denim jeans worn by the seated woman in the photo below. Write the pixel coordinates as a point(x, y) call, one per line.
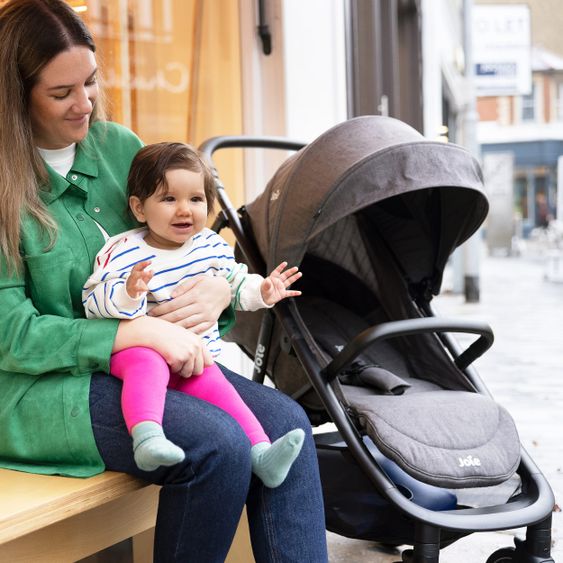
point(202, 498)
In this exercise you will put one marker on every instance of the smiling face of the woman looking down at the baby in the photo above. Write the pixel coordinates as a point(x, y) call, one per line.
point(62, 100)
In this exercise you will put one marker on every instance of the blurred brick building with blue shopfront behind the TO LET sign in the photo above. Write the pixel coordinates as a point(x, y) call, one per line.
point(528, 128)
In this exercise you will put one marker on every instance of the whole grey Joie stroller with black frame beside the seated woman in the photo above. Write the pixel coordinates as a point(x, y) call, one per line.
point(422, 455)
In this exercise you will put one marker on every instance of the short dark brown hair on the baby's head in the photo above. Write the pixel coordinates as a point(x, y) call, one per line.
point(148, 170)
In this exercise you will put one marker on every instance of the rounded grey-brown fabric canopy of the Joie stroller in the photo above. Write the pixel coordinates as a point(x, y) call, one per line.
point(434, 194)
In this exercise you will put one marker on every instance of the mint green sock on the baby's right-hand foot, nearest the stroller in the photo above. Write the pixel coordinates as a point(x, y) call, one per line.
point(272, 462)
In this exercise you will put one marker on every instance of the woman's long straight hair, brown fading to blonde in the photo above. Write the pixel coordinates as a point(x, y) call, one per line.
point(32, 33)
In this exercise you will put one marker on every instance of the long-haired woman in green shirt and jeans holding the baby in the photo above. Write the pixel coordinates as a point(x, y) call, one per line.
point(62, 187)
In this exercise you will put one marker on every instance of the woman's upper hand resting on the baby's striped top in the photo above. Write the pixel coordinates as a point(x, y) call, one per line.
point(196, 304)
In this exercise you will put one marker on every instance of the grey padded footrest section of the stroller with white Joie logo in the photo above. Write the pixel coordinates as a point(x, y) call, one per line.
point(449, 439)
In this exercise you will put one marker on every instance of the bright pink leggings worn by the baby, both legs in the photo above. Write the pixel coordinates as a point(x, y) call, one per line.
point(146, 376)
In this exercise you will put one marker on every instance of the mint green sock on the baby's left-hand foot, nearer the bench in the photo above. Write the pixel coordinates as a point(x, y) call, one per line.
point(151, 448)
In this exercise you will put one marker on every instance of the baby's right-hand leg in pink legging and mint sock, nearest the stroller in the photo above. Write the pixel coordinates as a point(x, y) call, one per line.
point(270, 462)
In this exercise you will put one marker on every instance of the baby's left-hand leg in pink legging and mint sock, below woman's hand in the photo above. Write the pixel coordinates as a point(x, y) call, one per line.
point(145, 375)
